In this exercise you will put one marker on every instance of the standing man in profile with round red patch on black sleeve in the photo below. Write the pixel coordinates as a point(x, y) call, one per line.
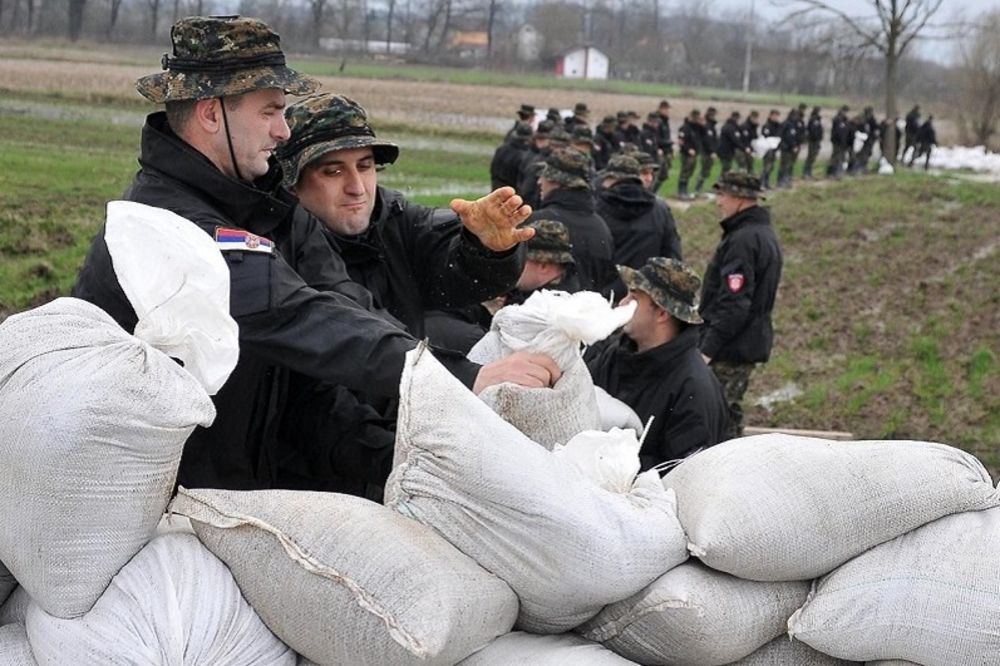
point(739, 290)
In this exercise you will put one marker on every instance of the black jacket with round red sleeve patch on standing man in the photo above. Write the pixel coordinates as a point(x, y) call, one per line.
point(739, 289)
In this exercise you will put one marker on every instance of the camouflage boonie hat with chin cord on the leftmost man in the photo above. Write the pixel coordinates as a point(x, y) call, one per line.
point(215, 56)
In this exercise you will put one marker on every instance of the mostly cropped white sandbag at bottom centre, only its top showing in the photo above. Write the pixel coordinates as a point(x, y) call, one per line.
point(519, 647)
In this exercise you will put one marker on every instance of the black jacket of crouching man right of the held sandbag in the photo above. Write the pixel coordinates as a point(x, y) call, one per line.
point(672, 384)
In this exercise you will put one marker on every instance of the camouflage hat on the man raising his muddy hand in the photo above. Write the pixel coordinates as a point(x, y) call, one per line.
point(322, 124)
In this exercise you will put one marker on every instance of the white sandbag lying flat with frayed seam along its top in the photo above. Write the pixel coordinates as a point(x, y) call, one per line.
point(346, 581)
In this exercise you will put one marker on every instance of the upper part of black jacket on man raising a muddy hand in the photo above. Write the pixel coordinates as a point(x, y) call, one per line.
point(412, 259)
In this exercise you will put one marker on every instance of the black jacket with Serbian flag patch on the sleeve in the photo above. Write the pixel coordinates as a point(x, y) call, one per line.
point(290, 305)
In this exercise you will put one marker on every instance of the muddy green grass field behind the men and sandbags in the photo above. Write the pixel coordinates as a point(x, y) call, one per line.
point(888, 318)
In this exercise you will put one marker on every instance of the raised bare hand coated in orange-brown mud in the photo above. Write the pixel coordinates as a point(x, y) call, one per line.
point(494, 219)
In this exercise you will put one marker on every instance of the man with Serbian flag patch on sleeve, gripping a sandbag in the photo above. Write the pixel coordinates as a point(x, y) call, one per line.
point(208, 159)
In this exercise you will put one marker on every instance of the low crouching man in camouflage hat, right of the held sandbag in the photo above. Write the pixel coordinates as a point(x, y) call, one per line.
point(654, 366)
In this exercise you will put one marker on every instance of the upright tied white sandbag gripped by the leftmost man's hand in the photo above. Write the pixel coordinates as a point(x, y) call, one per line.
point(557, 324)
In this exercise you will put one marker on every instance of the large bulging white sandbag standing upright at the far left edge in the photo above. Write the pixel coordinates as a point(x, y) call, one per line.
point(92, 424)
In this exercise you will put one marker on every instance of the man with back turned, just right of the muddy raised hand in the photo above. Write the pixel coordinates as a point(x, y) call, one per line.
point(564, 185)
